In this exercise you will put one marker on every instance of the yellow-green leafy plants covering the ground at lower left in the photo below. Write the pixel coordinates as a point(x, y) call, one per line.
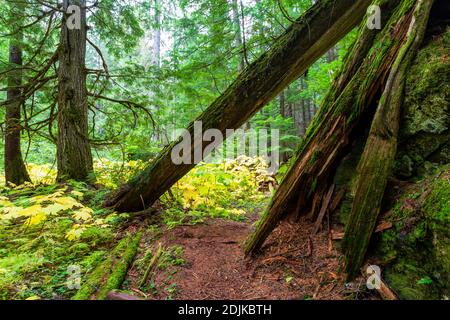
point(44, 229)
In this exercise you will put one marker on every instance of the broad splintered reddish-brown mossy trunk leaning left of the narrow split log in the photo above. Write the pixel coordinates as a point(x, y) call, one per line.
point(355, 90)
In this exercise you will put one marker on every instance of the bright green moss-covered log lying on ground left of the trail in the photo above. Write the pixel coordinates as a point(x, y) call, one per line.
point(110, 274)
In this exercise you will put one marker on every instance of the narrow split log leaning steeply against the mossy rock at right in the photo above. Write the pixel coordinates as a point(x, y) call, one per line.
point(379, 154)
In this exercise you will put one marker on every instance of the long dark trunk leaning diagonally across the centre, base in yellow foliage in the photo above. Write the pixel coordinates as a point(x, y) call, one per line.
point(306, 40)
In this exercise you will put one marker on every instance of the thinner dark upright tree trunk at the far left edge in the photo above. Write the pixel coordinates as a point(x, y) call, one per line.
point(15, 169)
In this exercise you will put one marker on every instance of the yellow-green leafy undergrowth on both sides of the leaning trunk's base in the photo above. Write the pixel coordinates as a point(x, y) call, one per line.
point(47, 230)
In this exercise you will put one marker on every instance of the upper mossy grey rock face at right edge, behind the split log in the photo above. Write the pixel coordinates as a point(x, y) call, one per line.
point(425, 128)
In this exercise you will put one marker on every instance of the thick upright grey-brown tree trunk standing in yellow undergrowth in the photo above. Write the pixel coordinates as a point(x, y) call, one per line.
point(73, 148)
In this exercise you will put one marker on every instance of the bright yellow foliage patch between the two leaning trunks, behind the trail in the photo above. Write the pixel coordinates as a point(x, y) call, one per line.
point(227, 190)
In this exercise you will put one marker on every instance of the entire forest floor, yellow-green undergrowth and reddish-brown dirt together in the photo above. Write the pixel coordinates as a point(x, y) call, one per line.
point(53, 234)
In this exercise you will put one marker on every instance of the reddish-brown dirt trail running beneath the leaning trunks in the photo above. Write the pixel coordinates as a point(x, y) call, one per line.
point(292, 265)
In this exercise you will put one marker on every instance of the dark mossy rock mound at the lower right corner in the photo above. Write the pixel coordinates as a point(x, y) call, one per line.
point(419, 244)
